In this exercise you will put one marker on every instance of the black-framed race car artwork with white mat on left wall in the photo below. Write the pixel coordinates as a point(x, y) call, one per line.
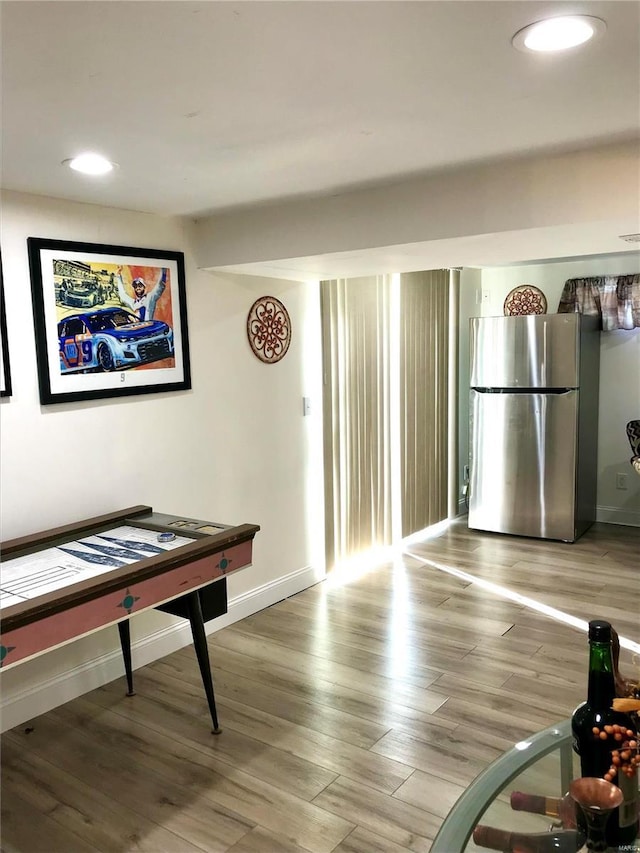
point(110, 321)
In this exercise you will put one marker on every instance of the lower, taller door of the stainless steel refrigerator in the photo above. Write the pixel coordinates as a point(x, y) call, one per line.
point(523, 463)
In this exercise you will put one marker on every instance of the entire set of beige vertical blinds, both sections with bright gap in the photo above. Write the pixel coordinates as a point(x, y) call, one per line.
point(385, 351)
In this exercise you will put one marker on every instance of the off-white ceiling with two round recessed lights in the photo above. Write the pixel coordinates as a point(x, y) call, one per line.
point(213, 106)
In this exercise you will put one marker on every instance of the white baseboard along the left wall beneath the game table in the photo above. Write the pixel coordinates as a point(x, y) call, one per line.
point(38, 699)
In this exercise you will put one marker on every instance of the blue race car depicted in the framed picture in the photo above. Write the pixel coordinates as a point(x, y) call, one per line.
point(111, 339)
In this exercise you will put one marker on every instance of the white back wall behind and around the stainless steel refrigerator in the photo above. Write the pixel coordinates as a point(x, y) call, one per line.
point(619, 368)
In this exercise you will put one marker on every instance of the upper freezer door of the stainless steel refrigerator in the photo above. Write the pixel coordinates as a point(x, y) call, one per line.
point(537, 351)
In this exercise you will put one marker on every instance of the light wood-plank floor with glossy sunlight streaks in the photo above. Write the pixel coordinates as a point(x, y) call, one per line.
point(353, 714)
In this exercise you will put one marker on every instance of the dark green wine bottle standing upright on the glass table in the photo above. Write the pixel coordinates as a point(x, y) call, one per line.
point(591, 742)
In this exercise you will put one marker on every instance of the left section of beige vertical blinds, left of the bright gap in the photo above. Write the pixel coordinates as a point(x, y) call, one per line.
point(356, 326)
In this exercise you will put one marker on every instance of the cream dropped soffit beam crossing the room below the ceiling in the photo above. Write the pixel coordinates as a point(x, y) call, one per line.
point(529, 206)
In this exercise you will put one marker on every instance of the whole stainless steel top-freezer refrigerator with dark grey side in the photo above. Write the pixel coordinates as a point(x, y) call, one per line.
point(534, 424)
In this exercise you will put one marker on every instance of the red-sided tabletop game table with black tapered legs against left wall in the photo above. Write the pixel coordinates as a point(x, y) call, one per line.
point(65, 583)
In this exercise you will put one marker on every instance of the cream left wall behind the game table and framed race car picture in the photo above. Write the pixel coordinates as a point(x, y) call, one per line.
point(235, 449)
